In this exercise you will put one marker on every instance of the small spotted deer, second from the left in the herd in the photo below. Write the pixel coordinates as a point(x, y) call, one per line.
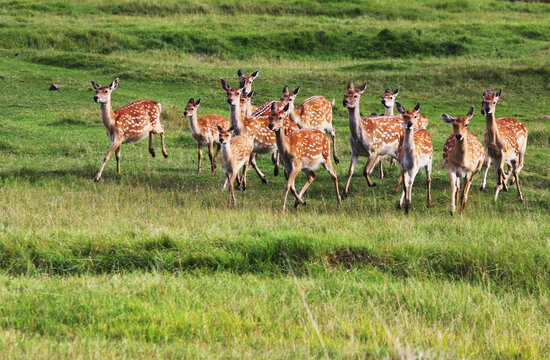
point(204, 131)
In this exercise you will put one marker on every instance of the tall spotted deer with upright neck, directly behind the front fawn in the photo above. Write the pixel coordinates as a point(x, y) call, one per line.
point(256, 128)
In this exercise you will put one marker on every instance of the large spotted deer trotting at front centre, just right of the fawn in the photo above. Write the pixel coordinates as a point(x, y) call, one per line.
point(300, 150)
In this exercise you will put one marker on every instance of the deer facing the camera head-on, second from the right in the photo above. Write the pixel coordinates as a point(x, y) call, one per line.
point(463, 157)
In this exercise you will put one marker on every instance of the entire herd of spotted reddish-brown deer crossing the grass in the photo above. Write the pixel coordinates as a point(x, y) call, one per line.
point(295, 136)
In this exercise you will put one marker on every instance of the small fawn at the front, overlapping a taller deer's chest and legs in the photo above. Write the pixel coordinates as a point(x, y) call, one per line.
point(235, 154)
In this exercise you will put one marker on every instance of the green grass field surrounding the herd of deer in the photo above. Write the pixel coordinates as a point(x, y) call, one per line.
point(152, 264)
